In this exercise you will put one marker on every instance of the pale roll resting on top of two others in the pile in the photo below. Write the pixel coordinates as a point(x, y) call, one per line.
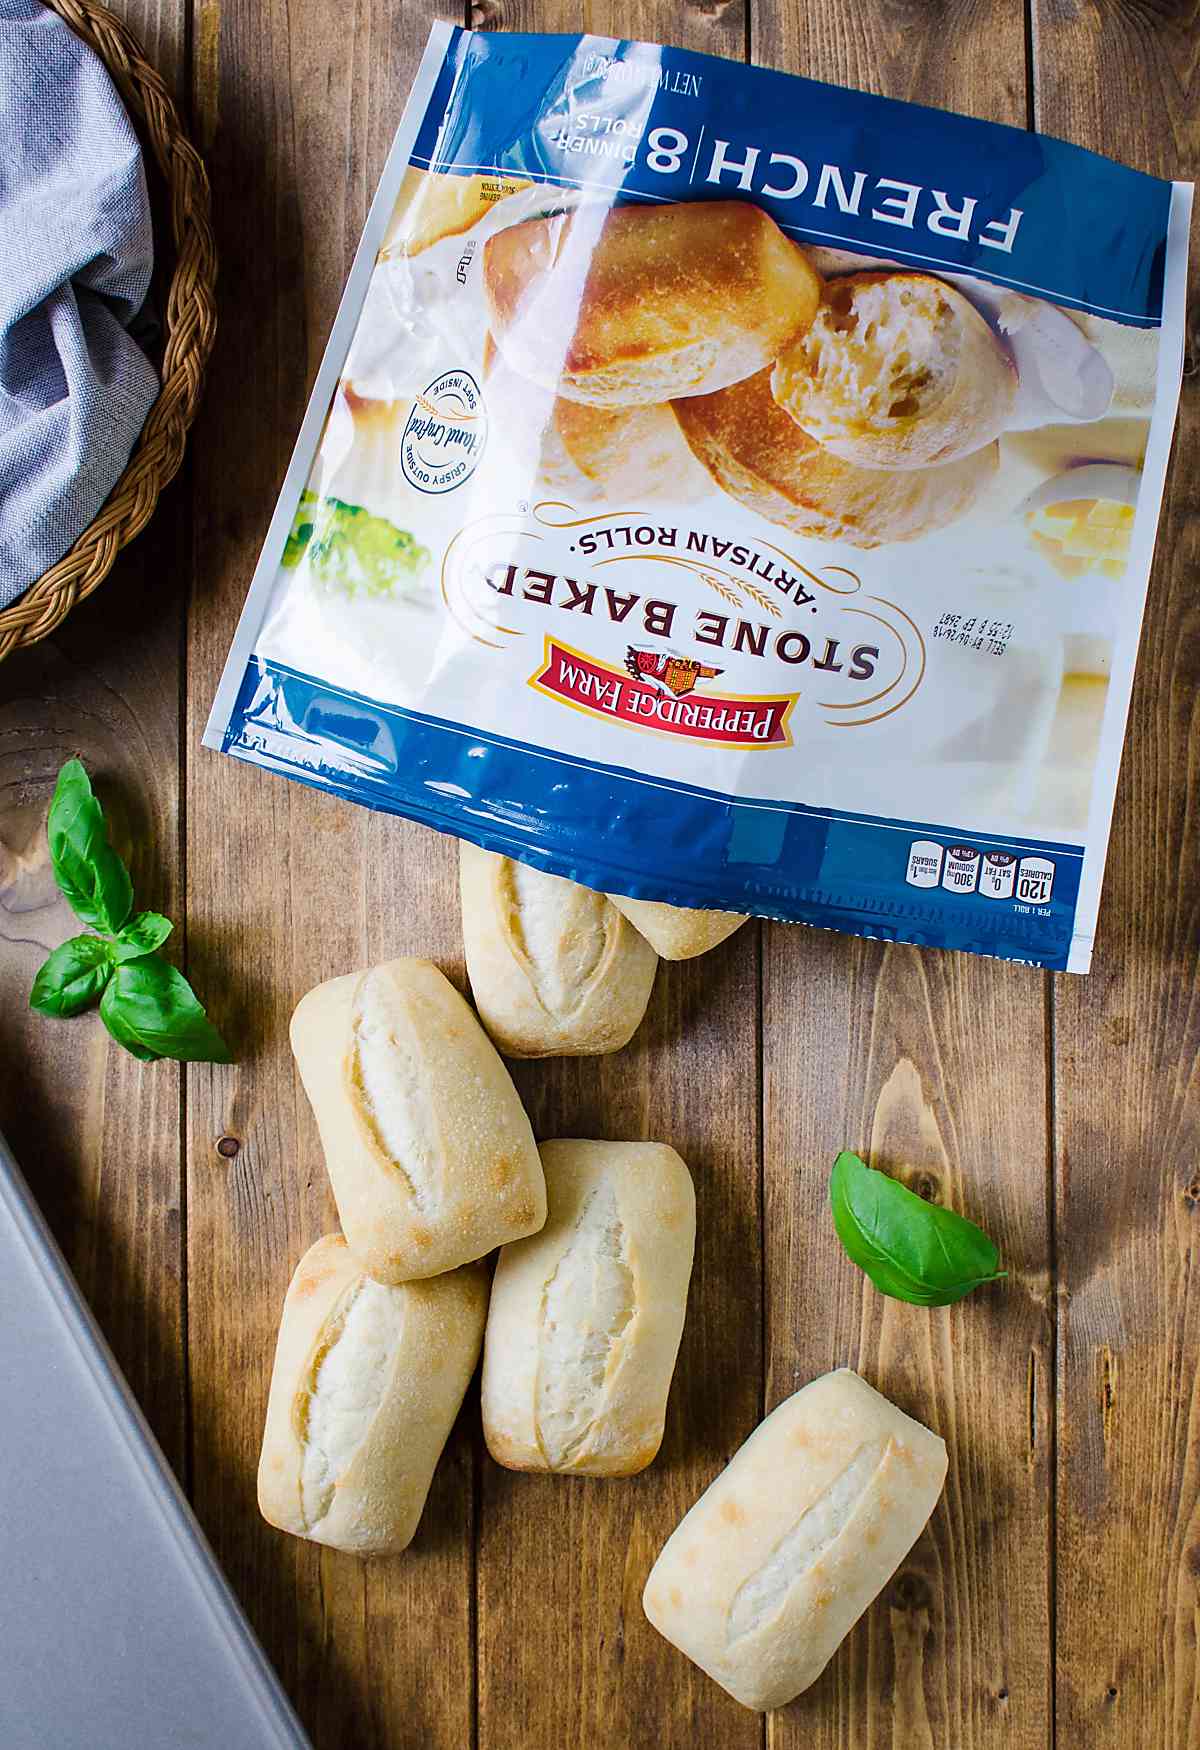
point(429, 1152)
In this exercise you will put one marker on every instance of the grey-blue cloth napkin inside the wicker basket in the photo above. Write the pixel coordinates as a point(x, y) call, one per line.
point(76, 255)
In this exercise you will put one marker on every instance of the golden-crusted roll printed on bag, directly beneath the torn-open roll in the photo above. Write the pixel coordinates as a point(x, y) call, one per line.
point(762, 458)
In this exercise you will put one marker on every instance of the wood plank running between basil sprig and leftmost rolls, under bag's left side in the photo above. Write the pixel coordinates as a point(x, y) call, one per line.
point(286, 888)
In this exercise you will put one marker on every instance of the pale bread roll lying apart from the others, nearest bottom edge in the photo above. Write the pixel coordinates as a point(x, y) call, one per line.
point(807, 1523)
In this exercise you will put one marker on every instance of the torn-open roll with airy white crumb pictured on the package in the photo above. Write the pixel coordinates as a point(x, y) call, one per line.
point(898, 370)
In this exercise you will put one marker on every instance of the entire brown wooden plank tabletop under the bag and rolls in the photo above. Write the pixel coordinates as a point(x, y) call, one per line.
point(1056, 1597)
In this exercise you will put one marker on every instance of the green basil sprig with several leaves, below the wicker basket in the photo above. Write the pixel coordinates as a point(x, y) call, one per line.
point(146, 1004)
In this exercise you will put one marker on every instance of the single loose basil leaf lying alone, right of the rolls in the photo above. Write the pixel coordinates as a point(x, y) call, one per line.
point(910, 1249)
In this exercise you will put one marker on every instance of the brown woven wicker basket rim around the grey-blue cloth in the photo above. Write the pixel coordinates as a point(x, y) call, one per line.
point(192, 325)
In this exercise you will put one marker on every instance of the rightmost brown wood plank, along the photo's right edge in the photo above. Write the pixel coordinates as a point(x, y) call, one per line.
point(1124, 81)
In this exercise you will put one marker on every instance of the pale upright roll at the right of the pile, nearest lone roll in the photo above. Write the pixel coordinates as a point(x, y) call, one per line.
point(587, 1317)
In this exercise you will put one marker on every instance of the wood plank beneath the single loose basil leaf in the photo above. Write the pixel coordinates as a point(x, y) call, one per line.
point(933, 1065)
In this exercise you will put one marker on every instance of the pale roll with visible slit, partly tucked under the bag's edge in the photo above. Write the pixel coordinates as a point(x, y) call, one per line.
point(555, 969)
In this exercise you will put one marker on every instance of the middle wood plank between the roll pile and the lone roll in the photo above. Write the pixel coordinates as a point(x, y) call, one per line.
point(566, 1653)
